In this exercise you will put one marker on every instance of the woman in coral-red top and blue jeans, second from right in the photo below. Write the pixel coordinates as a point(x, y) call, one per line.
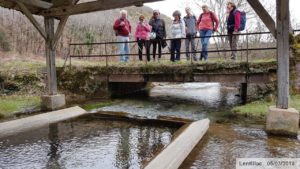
point(207, 24)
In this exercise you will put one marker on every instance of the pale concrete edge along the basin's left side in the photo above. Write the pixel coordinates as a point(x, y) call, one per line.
point(29, 123)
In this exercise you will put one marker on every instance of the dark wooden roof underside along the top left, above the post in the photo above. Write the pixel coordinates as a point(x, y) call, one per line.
point(59, 8)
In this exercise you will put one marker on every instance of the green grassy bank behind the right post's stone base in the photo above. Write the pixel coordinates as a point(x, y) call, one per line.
point(258, 109)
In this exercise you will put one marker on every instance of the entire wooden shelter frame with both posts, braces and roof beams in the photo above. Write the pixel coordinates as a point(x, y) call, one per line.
point(62, 9)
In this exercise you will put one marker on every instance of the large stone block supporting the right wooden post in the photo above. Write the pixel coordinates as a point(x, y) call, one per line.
point(282, 121)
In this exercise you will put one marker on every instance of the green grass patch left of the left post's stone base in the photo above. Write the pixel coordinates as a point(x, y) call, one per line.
point(11, 104)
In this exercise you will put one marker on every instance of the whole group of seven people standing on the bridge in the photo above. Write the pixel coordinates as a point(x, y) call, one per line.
point(154, 33)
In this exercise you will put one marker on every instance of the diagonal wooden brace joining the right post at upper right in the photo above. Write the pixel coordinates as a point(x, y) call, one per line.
point(263, 15)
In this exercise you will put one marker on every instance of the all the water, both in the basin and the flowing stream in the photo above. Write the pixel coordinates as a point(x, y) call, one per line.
point(93, 143)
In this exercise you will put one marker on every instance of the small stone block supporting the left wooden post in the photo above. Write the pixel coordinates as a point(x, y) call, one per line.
point(53, 102)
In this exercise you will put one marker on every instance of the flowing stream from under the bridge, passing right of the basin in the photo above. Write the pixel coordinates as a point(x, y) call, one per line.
point(232, 138)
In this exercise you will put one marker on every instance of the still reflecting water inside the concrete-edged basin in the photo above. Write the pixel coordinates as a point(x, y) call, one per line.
point(85, 143)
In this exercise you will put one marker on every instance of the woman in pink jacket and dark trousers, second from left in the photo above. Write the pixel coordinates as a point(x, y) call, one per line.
point(142, 35)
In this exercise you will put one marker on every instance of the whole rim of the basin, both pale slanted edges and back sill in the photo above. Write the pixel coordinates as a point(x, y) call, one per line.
point(184, 141)
